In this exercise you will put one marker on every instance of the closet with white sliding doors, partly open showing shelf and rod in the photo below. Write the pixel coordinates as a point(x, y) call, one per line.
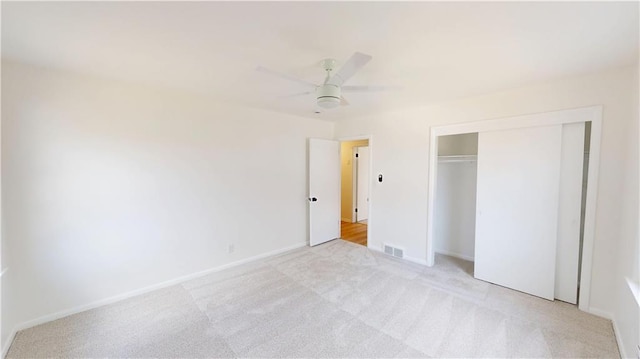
point(513, 202)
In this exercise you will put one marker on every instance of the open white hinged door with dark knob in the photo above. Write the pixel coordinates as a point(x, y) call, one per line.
point(324, 191)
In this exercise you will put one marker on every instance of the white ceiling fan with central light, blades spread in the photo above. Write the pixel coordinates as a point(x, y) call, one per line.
point(329, 93)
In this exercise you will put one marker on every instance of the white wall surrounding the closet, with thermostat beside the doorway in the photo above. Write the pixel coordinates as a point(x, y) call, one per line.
point(399, 204)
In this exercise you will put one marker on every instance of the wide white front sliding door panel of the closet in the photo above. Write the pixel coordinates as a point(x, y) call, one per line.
point(517, 208)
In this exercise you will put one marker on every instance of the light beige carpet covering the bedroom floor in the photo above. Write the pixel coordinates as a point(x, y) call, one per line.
point(335, 300)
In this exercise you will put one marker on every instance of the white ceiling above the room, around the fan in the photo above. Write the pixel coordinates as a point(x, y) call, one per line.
point(434, 50)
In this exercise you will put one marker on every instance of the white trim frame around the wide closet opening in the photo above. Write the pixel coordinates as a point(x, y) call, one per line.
point(584, 114)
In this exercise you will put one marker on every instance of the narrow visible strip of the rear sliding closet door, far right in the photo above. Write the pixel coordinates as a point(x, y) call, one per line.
point(569, 213)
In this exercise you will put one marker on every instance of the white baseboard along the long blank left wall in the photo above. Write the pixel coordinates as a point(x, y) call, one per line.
point(127, 295)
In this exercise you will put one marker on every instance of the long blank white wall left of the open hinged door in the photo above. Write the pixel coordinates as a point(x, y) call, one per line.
point(113, 187)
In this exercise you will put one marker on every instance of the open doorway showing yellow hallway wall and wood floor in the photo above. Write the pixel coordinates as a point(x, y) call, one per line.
point(354, 190)
